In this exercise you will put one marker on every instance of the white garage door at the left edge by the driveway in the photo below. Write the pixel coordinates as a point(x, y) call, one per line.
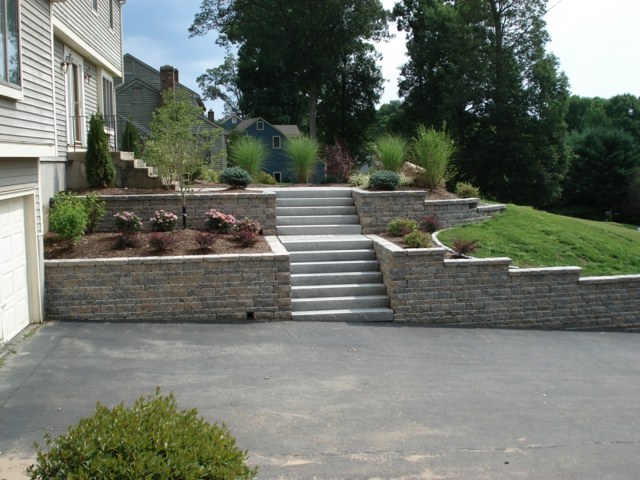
point(14, 306)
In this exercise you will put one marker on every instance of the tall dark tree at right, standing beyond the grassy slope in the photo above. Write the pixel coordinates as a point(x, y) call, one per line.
point(481, 67)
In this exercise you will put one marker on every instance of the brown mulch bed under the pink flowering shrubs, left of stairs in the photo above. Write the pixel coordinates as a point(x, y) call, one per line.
point(108, 245)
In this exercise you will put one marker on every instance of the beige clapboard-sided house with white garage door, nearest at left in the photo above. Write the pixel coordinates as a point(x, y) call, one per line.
point(58, 60)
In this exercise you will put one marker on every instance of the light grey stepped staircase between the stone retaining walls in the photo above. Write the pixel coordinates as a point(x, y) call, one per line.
point(334, 272)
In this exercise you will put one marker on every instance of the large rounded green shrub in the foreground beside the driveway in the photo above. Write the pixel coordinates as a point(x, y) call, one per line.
point(152, 439)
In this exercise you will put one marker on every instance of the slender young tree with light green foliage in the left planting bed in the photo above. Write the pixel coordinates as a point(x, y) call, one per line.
point(179, 145)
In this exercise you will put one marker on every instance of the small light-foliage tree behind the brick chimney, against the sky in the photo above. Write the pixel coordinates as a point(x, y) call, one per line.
point(222, 83)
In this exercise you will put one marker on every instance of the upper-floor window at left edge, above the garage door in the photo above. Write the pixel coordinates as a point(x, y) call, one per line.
point(9, 42)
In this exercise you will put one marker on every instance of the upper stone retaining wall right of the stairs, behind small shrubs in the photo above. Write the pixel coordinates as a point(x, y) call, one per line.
point(377, 209)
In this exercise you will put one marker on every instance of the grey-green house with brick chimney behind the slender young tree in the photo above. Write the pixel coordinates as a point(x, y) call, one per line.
point(139, 93)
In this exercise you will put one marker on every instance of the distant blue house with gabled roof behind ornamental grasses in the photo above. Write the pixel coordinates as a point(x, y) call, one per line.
point(274, 136)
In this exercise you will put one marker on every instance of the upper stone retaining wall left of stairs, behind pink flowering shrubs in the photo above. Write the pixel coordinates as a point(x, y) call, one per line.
point(257, 205)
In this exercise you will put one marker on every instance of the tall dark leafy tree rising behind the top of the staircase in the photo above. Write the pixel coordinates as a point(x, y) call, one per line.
point(303, 40)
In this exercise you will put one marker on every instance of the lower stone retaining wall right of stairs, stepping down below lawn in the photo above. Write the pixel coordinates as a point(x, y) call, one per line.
point(424, 287)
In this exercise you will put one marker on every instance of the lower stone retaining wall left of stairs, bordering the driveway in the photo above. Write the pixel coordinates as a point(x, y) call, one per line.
point(191, 289)
